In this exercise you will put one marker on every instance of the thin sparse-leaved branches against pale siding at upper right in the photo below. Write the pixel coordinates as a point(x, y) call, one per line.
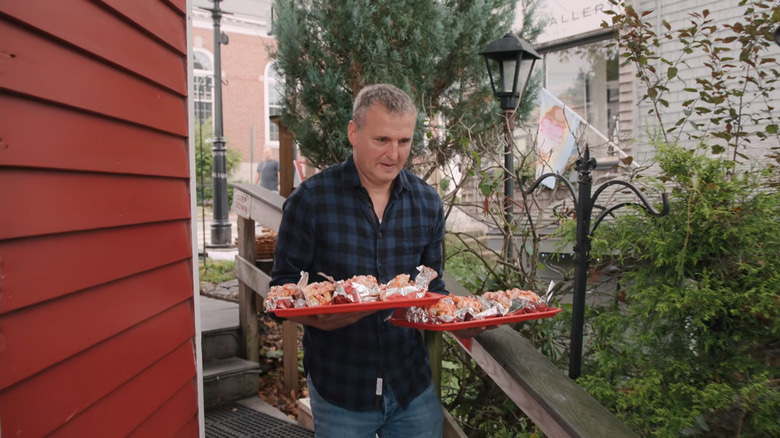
point(732, 100)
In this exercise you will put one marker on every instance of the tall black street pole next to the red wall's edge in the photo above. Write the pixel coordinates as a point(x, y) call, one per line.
point(220, 225)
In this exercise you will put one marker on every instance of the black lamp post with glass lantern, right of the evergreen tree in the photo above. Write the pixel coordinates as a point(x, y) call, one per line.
point(509, 61)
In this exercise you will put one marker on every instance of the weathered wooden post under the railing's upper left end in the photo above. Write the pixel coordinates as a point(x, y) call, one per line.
point(247, 298)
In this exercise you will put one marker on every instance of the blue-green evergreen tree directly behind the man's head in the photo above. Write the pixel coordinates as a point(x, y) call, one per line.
point(328, 50)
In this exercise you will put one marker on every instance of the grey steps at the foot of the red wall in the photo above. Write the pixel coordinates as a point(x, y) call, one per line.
point(226, 377)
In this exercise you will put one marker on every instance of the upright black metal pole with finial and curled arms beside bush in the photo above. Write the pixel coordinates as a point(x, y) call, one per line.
point(581, 259)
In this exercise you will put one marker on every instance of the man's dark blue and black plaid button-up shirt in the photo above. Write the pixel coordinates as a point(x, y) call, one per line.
point(329, 226)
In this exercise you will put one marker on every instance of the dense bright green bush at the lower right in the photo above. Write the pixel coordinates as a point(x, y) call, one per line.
point(692, 347)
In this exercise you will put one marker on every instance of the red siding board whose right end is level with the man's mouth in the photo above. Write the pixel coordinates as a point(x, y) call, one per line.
point(79, 141)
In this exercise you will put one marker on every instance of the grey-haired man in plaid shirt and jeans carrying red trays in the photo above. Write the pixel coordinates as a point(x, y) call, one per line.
point(366, 216)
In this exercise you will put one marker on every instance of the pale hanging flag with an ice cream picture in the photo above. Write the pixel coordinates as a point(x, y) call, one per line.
point(555, 139)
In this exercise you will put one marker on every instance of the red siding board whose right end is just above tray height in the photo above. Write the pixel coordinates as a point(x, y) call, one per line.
point(76, 261)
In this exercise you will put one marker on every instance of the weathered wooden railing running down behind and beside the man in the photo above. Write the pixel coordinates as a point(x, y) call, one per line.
point(546, 395)
